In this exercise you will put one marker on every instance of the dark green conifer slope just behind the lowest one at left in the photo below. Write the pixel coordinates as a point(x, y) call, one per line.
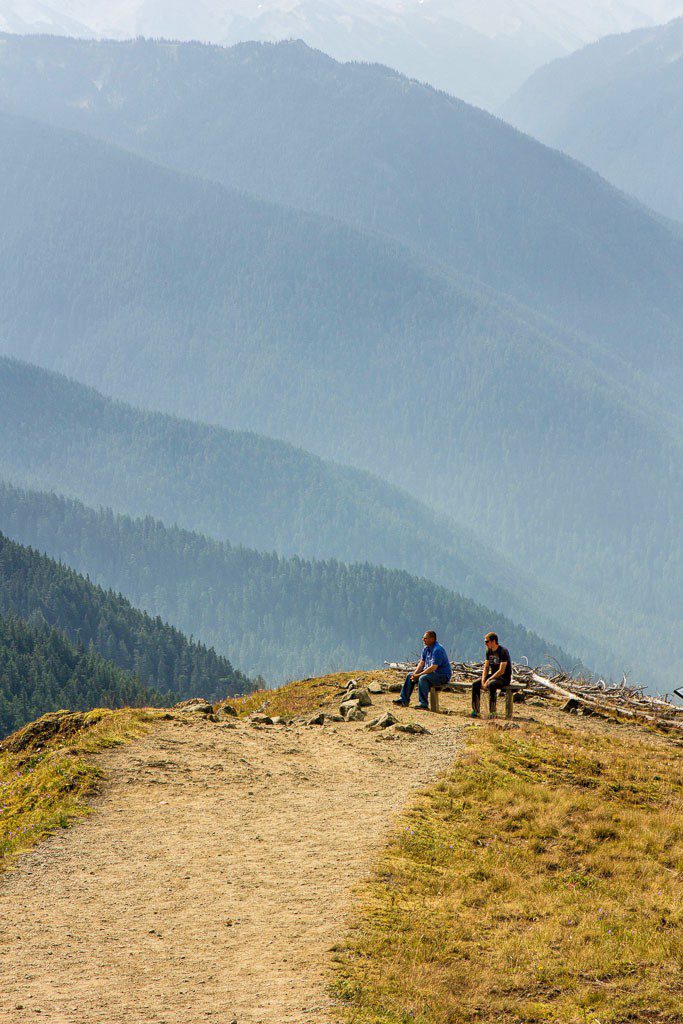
point(40, 590)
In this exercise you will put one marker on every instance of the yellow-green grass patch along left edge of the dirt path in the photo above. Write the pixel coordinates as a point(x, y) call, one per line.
point(46, 789)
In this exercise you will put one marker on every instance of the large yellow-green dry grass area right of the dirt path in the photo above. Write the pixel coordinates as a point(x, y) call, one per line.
point(540, 882)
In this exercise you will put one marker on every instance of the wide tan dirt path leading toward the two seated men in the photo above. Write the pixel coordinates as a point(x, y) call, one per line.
point(215, 878)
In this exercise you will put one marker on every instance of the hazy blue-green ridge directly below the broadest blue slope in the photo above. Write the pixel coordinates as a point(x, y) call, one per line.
point(238, 488)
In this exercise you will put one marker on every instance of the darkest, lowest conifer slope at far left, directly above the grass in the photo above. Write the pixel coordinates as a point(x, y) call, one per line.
point(41, 670)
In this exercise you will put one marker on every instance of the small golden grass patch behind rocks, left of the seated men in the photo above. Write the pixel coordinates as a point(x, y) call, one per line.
point(306, 696)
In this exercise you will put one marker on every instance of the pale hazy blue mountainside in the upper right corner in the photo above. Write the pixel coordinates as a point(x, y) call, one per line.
point(617, 106)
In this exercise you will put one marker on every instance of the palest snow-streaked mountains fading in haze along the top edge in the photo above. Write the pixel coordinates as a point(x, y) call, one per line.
point(481, 53)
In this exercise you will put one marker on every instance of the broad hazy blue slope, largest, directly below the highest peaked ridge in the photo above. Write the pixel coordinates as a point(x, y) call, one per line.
point(179, 293)
